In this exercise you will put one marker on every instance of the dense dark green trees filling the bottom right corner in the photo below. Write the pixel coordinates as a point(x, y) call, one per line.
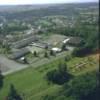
point(83, 87)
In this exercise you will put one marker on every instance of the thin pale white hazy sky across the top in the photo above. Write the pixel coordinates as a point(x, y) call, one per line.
point(4, 2)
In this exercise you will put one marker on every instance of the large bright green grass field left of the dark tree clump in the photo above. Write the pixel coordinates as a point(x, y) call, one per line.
point(30, 82)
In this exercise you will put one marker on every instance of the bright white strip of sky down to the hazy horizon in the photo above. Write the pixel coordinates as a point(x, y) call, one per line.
point(43, 2)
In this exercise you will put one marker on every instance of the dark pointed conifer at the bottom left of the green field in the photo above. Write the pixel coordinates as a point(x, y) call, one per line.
point(13, 94)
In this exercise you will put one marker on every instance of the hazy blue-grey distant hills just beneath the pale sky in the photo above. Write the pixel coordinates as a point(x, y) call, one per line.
point(30, 11)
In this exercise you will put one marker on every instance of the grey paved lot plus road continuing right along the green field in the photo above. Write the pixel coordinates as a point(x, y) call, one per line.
point(8, 66)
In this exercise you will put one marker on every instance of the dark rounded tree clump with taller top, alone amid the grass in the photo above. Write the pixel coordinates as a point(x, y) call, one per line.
point(60, 75)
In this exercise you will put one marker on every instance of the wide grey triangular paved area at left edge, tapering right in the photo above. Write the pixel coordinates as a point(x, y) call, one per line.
point(8, 66)
